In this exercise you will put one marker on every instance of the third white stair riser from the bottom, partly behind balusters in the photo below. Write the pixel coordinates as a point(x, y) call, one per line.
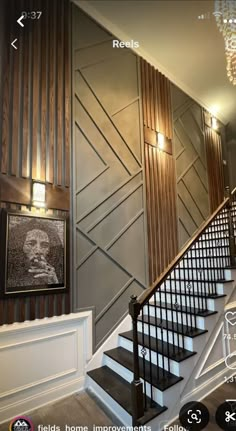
point(177, 368)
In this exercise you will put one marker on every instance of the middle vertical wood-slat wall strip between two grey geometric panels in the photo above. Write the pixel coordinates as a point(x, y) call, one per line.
point(160, 171)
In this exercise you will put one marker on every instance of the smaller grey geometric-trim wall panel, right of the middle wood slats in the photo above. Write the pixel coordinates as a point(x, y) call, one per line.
point(191, 166)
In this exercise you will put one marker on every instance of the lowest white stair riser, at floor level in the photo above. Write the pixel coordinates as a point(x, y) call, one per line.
point(111, 404)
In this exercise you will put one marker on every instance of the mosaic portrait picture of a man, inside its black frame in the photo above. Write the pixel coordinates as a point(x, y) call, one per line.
point(35, 257)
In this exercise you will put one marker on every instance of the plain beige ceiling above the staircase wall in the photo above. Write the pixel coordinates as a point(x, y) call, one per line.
point(190, 51)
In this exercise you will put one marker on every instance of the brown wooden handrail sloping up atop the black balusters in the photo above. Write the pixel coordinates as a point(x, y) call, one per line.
point(148, 293)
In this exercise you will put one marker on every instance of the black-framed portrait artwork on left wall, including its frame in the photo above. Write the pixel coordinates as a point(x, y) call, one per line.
point(33, 253)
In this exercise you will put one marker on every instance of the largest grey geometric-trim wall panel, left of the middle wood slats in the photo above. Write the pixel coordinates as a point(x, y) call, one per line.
point(108, 191)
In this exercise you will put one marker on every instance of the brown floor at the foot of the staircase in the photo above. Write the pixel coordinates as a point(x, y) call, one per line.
point(83, 410)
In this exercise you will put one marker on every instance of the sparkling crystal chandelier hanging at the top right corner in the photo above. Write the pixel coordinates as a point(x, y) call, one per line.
point(225, 15)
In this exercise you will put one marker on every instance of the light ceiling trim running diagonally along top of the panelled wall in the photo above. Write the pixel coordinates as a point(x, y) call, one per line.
point(115, 30)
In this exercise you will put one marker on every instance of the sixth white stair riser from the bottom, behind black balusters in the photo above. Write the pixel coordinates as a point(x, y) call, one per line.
point(188, 301)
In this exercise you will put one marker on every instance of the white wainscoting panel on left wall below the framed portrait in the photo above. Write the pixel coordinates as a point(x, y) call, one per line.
point(42, 361)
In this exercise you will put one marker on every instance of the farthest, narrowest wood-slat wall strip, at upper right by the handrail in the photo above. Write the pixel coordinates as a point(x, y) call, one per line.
point(215, 167)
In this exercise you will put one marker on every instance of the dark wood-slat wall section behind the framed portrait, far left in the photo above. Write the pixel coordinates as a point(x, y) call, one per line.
point(35, 99)
